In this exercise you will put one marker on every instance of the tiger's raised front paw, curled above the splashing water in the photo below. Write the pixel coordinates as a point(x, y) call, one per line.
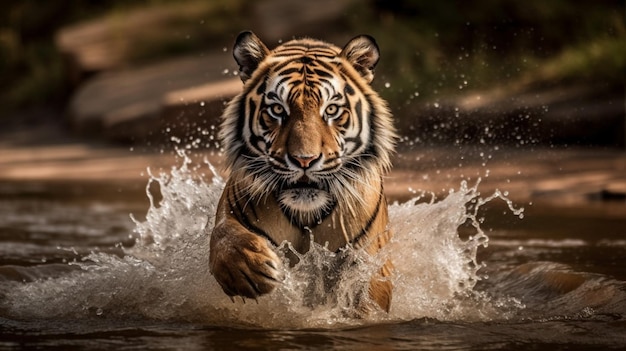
point(244, 264)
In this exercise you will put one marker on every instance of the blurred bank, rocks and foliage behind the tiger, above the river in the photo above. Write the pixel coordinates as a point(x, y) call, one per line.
point(457, 74)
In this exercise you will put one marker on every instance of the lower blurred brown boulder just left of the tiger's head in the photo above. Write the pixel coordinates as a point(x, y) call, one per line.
point(108, 103)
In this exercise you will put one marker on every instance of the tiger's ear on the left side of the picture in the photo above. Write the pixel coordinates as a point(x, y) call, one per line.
point(249, 51)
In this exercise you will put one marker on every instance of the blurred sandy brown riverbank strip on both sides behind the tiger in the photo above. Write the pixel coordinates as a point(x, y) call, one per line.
point(49, 158)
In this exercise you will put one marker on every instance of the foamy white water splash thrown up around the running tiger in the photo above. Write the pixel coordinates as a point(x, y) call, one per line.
point(165, 275)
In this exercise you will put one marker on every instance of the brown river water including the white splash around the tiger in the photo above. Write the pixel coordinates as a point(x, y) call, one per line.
point(469, 274)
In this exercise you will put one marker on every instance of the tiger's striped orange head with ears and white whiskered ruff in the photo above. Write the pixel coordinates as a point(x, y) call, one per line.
point(307, 127)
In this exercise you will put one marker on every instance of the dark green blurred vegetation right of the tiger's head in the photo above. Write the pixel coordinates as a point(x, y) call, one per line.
point(447, 47)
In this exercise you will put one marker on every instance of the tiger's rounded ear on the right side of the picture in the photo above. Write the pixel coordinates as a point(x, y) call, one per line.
point(362, 52)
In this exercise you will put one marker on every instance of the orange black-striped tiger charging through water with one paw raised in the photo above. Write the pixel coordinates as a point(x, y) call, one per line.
point(307, 143)
